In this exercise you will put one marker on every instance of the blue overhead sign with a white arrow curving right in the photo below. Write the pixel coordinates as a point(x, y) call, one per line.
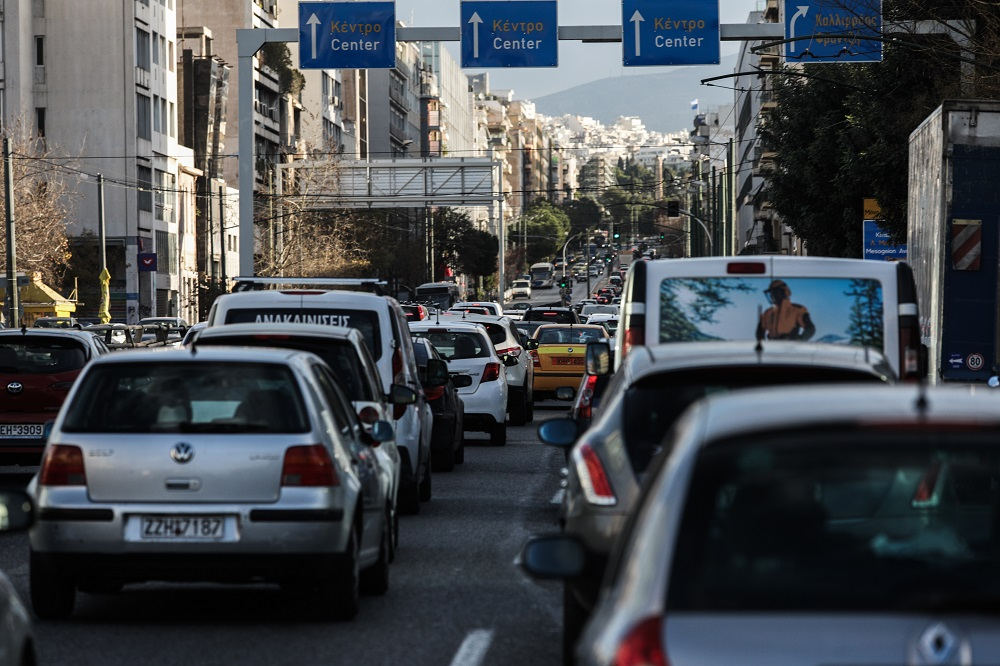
point(833, 30)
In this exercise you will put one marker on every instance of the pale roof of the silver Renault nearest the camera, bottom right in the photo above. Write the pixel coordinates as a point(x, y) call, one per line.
point(725, 415)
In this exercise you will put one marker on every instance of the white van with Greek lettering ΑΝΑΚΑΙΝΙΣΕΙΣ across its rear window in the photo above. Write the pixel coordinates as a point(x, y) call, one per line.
point(382, 323)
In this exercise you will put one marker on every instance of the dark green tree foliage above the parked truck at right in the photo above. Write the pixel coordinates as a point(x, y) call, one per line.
point(841, 131)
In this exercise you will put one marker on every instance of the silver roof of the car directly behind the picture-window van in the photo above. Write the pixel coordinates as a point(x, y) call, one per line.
point(644, 360)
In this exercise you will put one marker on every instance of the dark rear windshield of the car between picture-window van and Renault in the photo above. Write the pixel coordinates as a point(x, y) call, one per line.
point(652, 404)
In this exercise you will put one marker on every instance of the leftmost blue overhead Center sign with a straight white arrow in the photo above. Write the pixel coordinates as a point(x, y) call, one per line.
point(347, 35)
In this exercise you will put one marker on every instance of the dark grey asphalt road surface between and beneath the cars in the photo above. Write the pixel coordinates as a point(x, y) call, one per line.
point(455, 596)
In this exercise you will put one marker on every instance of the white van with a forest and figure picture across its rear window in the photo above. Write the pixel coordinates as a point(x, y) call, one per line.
point(821, 299)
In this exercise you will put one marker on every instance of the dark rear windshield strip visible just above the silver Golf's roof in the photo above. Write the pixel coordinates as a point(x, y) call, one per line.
point(340, 355)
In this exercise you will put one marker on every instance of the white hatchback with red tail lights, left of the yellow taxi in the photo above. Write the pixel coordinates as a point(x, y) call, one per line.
point(469, 351)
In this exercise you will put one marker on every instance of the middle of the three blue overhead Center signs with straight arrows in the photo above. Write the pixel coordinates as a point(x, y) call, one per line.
point(519, 33)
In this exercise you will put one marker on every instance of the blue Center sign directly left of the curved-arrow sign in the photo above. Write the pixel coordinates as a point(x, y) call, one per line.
point(670, 32)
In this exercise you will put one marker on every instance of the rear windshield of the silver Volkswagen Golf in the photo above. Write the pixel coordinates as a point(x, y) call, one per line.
point(182, 397)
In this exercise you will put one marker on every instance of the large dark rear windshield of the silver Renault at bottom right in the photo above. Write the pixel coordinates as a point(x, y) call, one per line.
point(884, 519)
